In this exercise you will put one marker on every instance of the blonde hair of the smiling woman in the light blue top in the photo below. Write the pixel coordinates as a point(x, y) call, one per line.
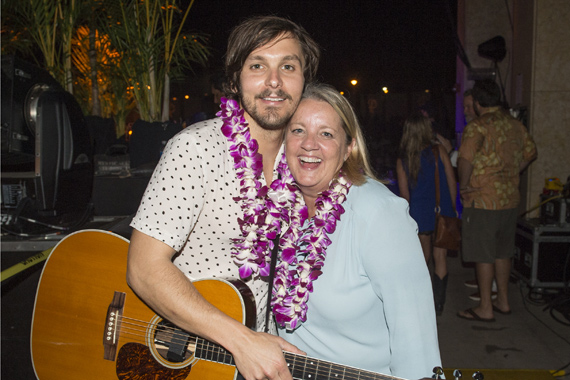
point(357, 167)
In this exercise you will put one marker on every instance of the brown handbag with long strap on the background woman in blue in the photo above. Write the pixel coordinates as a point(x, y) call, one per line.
point(447, 228)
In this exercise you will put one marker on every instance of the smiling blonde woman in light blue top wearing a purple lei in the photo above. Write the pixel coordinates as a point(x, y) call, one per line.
point(359, 291)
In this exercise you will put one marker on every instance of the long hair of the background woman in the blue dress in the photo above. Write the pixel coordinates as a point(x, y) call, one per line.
point(417, 135)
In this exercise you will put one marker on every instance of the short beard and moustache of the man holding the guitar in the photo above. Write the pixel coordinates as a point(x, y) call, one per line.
point(270, 118)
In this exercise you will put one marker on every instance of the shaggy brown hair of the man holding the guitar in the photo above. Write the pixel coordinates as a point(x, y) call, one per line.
point(258, 31)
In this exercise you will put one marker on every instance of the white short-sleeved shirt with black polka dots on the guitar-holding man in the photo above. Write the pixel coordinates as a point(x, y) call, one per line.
point(189, 205)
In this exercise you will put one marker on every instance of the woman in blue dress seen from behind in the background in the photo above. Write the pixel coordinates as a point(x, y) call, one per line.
point(416, 181)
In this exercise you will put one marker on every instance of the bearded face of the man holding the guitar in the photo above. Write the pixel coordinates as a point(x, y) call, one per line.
point(271, 83)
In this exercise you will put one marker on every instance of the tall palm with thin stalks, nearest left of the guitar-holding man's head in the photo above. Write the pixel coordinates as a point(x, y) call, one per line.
point(148, 35)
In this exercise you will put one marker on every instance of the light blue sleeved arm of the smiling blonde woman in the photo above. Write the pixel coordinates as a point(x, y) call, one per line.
point(395, 265)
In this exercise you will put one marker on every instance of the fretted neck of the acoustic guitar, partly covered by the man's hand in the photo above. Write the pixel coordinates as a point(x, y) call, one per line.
point(301, 367)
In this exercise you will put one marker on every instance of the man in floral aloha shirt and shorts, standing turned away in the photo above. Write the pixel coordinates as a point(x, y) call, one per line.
point(494, 150)
